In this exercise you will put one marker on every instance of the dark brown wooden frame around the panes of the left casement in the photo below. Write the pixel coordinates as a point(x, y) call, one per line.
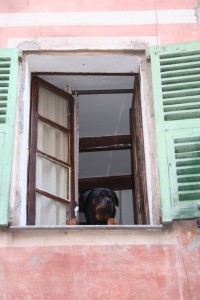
point(34, 117)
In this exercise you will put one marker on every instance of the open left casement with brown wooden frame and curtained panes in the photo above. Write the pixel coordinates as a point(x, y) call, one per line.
point(51, 162)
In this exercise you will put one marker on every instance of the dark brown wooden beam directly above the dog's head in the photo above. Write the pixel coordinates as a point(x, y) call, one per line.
point(116, 183)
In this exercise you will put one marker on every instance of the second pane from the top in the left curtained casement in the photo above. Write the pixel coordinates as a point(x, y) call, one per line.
point(53, 141)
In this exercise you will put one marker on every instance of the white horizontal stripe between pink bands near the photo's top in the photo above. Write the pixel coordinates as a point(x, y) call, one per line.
point(181, 16)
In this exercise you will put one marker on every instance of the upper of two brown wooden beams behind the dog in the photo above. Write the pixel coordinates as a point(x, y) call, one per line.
point(104, 143)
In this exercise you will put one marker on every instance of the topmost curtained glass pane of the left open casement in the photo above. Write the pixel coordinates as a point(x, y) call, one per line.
point(53, 107)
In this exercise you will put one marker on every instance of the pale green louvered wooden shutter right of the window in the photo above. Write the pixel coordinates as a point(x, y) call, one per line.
point(176, 91)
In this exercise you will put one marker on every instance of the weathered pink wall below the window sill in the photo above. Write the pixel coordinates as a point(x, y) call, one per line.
point(111, 264)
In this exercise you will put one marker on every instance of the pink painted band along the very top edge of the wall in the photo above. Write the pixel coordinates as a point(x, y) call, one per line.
point(91, 5)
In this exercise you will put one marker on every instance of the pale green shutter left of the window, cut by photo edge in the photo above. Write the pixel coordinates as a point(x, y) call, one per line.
point(8, 90)
